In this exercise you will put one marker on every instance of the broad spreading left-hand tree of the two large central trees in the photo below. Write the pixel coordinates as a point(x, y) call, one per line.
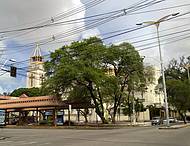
point(79, 64)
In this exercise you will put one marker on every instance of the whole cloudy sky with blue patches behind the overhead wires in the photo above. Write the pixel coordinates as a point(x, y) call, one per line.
point(24, 13)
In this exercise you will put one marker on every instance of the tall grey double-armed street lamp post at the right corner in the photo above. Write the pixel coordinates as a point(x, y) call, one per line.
point(157, 24)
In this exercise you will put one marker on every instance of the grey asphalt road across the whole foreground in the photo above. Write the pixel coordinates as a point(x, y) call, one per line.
point(142, 136)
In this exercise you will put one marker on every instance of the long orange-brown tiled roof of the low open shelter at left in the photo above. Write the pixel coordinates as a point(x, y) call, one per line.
point(38, 102)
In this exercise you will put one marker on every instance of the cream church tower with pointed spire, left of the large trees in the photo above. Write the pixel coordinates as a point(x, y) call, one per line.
point(35, 74)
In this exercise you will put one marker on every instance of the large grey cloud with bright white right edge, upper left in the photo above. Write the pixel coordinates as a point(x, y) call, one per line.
point(14, 14)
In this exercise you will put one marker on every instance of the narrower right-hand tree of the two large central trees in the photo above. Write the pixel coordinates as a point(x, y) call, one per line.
point(128, 72)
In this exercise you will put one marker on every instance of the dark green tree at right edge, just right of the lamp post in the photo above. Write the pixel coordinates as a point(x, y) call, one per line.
point(178, 87)
